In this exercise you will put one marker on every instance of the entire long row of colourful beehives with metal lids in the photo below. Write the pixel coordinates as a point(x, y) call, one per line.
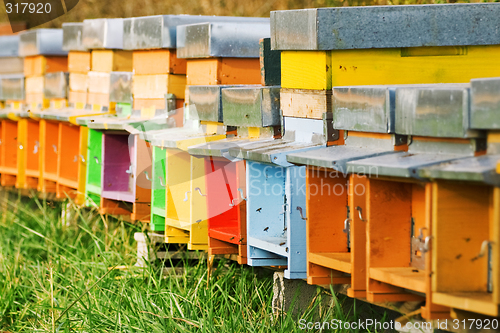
point(337, 149)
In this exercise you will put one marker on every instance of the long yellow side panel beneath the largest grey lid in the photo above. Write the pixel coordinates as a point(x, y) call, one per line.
point(388, 66)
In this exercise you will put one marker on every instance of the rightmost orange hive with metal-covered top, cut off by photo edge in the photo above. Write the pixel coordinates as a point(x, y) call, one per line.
point(465, 253)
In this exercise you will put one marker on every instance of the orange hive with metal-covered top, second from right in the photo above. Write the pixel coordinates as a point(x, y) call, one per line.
point(399, 200)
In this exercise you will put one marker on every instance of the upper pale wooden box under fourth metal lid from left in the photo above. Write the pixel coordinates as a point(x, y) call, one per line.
point(111, 61)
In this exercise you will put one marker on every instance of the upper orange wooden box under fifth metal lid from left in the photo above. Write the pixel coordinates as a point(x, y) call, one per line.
point(153, 62)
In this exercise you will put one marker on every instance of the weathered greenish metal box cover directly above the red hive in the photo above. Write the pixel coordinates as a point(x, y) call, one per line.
point(253, 106)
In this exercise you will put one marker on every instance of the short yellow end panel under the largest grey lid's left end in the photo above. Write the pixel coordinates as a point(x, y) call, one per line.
point(306, 70)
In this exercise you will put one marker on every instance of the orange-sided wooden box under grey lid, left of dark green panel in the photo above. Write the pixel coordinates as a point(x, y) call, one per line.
point(223, 71)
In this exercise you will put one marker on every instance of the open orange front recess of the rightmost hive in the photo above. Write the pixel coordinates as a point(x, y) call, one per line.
point(460, 214)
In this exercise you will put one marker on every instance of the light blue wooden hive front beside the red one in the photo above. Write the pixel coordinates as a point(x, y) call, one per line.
point(276, 230)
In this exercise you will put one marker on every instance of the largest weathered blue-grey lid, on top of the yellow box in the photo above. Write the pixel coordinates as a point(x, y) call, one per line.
point(385, 26)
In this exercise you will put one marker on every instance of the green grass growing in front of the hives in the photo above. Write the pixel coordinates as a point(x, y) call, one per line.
point(57, 278)
